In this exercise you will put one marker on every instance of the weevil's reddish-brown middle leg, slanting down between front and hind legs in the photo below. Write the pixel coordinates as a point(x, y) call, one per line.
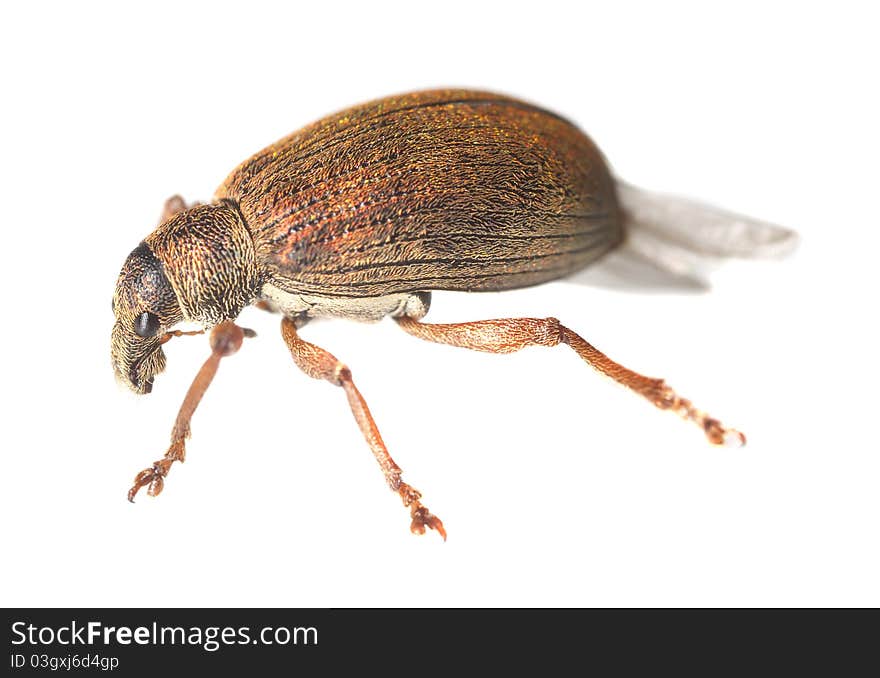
point(320, 364)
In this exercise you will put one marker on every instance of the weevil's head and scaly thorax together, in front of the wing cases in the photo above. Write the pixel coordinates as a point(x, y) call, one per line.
point(198, 266)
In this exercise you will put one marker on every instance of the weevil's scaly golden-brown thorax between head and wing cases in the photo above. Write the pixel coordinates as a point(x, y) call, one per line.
point(209, 259)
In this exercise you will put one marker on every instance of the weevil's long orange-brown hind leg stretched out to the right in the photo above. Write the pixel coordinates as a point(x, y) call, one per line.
point(507, 335)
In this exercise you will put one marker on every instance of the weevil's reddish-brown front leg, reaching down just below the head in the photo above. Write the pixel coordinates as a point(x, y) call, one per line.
point(226, 339)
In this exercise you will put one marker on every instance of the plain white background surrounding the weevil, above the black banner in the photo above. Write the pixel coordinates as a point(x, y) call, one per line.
point(556, 486)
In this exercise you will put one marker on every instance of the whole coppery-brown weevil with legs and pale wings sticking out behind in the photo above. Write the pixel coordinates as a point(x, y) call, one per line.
point(362, 214)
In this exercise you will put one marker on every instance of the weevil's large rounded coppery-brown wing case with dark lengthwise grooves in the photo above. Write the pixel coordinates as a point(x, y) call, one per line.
point(442, 190)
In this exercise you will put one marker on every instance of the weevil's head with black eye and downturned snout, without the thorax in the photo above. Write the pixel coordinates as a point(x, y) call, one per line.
point(145, 307)
